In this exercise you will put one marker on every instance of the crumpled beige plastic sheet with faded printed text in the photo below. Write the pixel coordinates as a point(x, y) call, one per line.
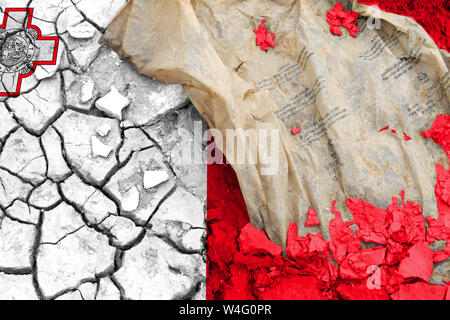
point(340, 90)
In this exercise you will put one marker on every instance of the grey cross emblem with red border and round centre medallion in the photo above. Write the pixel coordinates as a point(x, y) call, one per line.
point(22, 49)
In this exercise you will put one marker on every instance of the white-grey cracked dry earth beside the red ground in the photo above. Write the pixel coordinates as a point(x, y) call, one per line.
point(93, 201)
